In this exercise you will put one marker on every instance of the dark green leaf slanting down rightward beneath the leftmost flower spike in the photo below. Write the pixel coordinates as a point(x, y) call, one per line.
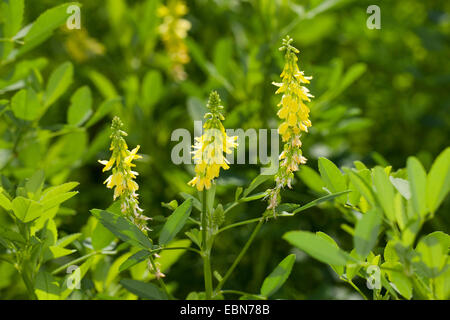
point(123, 228)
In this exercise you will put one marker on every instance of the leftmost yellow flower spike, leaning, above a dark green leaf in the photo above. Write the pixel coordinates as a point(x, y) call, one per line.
point(122, 177)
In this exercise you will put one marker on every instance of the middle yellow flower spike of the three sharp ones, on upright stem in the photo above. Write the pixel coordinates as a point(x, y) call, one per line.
point(209, 148)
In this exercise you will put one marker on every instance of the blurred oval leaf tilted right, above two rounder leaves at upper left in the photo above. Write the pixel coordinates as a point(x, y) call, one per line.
point(59, 81)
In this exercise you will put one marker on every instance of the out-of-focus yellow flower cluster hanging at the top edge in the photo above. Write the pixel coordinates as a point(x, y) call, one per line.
point(173, 31)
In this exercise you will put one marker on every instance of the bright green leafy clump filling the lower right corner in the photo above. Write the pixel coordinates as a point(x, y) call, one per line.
point(410, 271)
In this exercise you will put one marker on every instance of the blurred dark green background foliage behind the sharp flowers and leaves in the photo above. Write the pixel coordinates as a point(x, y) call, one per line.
point(380, 96)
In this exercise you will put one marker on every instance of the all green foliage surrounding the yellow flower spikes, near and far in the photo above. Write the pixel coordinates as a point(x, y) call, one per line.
point(59, 89)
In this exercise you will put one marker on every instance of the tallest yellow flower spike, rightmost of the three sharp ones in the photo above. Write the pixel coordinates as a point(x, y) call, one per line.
point(294, 114)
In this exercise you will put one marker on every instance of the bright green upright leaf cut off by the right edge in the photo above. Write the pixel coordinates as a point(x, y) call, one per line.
point(438, 180)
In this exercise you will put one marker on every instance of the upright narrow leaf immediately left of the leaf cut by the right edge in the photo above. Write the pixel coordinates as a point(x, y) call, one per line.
point(417, 177)
